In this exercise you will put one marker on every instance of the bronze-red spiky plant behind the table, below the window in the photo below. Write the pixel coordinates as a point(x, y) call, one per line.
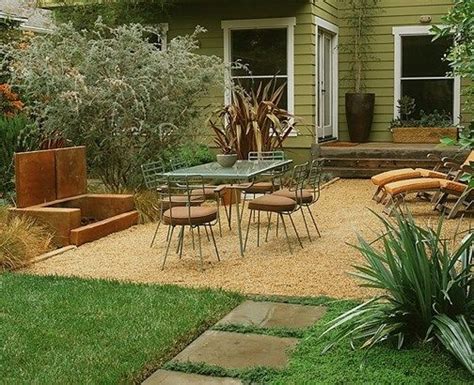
point(252, 122)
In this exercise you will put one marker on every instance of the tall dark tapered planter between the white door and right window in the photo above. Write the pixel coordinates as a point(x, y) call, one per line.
point(359, 115)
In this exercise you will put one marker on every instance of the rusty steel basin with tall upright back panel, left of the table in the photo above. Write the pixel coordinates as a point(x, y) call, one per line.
point(51, 186)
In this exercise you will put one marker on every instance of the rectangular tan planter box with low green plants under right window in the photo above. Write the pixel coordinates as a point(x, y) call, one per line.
point(428, 128)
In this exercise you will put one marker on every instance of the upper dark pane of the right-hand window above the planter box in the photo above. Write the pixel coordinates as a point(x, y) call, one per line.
point(422, 57)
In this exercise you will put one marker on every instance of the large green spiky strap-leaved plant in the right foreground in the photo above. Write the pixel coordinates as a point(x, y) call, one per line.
point(427, 291)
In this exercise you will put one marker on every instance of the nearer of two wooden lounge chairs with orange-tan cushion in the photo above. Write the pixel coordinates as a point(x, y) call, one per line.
point(398, 190)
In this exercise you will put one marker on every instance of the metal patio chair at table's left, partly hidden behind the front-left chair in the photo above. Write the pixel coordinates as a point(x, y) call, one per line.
point(155, 181)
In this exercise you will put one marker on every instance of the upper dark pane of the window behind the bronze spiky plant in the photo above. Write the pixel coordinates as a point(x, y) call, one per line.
point(264, 50)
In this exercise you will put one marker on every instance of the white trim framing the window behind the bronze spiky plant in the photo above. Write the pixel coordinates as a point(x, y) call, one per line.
point(285, 22)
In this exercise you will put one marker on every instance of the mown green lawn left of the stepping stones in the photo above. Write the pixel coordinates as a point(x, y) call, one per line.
point(64, 330)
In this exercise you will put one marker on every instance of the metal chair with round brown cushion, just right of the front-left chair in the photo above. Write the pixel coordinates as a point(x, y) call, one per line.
point(281, 206)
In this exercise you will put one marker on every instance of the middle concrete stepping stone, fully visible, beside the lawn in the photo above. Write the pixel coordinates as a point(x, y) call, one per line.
point(237, 350)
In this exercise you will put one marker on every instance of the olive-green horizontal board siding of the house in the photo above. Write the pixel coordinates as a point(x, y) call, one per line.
point(183, 17)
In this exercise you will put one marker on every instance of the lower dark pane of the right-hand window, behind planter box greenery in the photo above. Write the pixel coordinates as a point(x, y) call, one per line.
point(430, 95)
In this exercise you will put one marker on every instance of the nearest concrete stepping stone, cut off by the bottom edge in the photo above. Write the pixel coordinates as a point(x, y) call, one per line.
point(168, 377)
